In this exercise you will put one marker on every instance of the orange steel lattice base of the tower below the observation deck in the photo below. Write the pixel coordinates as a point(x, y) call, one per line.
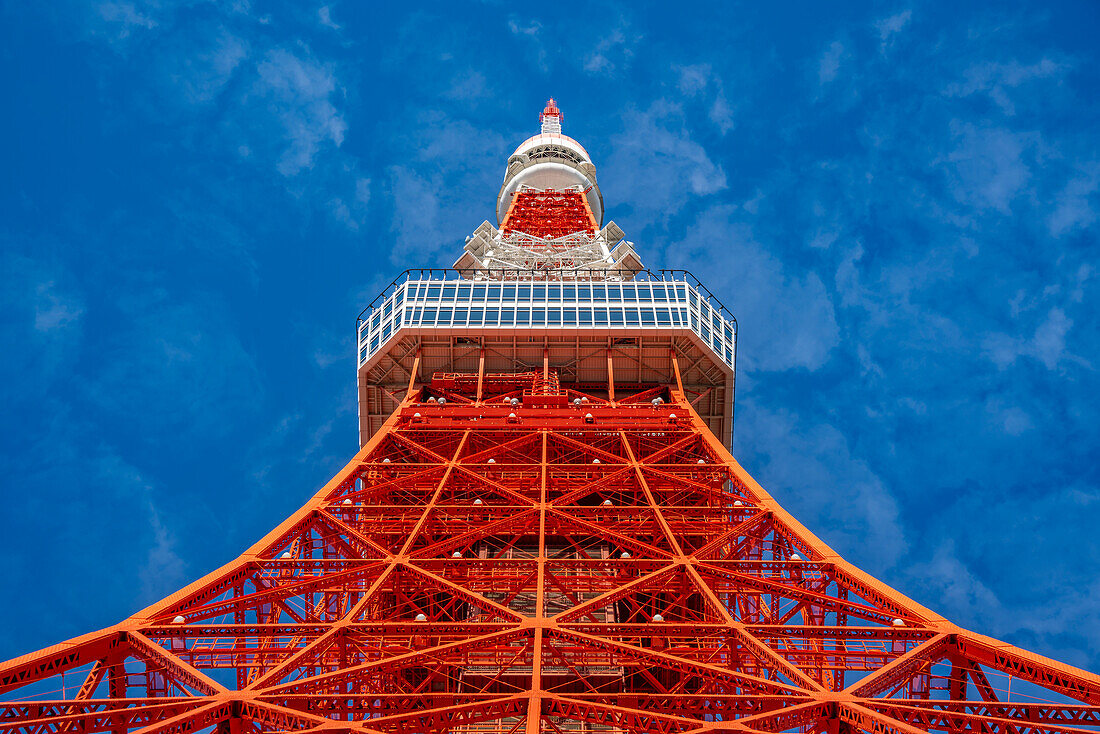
point(515, 554)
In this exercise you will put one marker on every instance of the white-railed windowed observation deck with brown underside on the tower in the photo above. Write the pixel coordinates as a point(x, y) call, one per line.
point(591, 332)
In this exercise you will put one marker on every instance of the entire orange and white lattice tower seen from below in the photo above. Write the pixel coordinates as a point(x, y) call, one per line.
point(544, 531)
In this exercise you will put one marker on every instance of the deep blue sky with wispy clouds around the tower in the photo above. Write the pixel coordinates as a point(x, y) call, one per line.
point(898, 201)
